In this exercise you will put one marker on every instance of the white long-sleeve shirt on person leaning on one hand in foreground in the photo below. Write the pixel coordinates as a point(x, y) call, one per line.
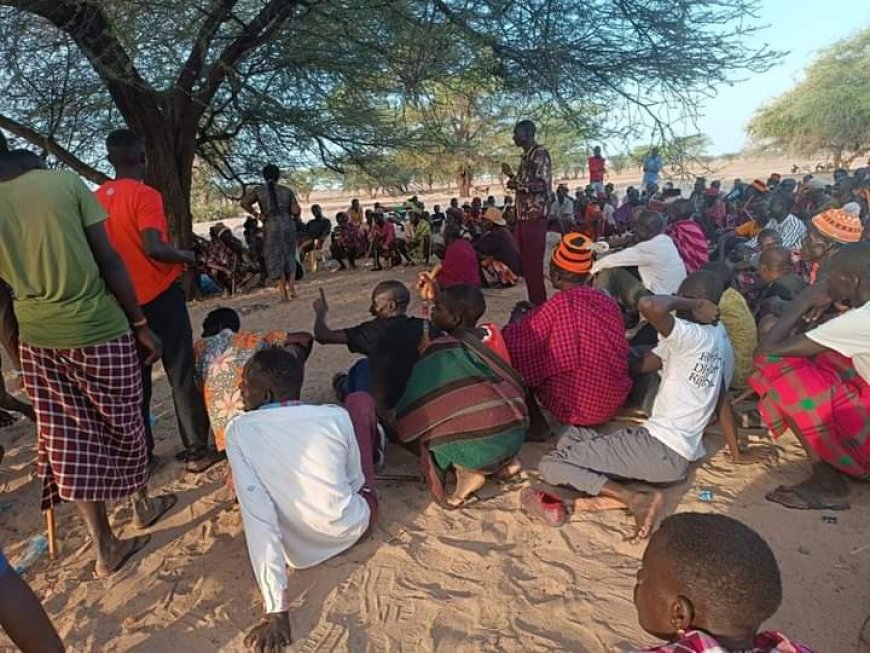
point(297, 474)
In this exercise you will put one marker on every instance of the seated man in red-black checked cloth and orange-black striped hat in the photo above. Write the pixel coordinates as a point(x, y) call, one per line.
point(571, 350)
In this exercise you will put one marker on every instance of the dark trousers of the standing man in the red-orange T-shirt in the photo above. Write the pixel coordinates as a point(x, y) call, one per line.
point(168, 319)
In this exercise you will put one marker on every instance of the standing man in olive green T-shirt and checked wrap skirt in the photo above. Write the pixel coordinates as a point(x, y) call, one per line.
point(76, 308)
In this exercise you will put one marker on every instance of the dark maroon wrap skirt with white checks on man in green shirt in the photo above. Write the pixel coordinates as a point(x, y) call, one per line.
point(88, 404)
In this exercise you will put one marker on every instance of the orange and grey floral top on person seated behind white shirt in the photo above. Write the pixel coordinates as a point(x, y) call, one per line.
point(219, 362)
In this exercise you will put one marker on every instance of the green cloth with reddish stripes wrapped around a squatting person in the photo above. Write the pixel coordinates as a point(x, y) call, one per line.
point(464, 404)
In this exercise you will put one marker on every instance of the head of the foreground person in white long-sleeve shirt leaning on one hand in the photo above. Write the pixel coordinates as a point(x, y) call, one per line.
point(272, 375)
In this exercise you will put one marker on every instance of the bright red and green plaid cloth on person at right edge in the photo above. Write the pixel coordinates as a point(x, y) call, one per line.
point(825, 399)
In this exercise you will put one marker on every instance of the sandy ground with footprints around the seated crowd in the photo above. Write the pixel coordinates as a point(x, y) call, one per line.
point(484, 578)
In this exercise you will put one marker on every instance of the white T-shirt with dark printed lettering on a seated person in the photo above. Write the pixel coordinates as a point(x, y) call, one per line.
point(696, 360)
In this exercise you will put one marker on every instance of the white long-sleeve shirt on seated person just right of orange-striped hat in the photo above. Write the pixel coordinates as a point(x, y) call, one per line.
point(657, 260)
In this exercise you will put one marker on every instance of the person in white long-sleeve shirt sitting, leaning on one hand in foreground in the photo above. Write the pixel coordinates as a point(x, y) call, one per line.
point(304, 477)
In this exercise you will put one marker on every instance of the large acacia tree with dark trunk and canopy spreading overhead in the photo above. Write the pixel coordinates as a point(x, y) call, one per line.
point(234, 83)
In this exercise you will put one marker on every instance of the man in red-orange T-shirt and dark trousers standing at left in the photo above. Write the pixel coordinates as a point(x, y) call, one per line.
point(138, 231)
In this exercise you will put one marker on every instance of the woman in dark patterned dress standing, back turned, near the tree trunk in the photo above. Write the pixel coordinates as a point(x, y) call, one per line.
point(278, 208)
